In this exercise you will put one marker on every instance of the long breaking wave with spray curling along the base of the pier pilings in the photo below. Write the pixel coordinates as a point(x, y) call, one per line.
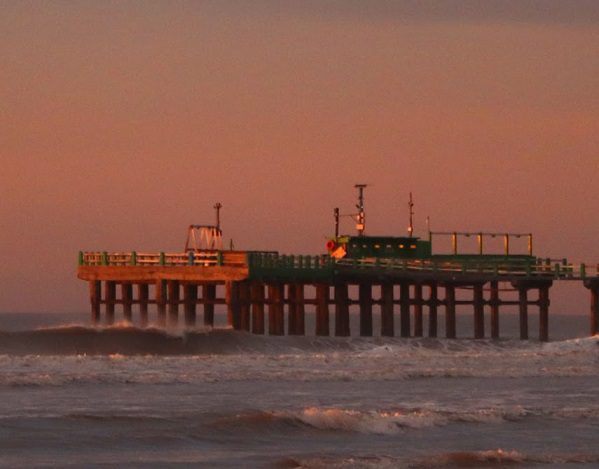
point(126, 339)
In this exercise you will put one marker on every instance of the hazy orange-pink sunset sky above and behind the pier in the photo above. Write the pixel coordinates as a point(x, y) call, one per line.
point(122, 122)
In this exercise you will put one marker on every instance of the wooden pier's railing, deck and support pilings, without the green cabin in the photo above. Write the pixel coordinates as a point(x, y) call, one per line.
point(267, 291)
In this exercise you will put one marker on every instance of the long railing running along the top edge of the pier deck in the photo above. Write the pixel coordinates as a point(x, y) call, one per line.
point(273, 264)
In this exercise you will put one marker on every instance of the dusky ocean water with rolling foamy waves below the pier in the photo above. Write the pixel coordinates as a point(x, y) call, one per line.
point(76, 396)
